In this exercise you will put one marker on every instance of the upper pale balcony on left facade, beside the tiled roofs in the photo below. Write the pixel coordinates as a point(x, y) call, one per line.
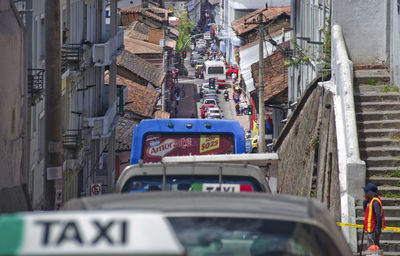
point(104, 53)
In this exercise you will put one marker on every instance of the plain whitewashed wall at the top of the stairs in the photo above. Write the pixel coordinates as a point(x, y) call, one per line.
point(364, 25)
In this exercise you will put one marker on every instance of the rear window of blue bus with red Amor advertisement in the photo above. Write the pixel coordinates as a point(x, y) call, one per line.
point(156, 146)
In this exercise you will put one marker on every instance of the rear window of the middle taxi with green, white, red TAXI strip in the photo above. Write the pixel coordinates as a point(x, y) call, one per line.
point(205, 183)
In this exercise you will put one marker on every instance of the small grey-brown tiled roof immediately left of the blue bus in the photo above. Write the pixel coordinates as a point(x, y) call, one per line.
point(124, 132)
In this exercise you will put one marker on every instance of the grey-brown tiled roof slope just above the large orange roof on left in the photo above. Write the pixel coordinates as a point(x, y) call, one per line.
point(140, 67)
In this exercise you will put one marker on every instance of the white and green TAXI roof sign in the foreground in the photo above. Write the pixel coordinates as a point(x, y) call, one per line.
point(88, 233)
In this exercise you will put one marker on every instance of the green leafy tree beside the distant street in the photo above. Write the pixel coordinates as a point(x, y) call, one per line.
point(184, 28)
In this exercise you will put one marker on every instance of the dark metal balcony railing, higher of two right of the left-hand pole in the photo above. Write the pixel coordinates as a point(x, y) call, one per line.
point(71, 56)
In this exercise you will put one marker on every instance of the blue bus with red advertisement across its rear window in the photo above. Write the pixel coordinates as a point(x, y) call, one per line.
point(155, 138)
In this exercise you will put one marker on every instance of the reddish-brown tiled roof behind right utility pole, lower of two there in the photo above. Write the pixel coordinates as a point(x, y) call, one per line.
point(275, 77)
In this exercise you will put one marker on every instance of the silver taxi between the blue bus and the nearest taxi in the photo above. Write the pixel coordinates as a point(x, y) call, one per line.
point(227, 177)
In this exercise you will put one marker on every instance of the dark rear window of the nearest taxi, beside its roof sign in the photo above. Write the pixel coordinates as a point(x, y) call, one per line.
point(250, 237)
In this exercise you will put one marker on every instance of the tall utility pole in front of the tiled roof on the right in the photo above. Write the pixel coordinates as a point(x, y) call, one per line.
point(261, 115)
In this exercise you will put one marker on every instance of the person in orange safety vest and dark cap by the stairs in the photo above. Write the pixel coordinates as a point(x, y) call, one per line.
point(374, 219)
